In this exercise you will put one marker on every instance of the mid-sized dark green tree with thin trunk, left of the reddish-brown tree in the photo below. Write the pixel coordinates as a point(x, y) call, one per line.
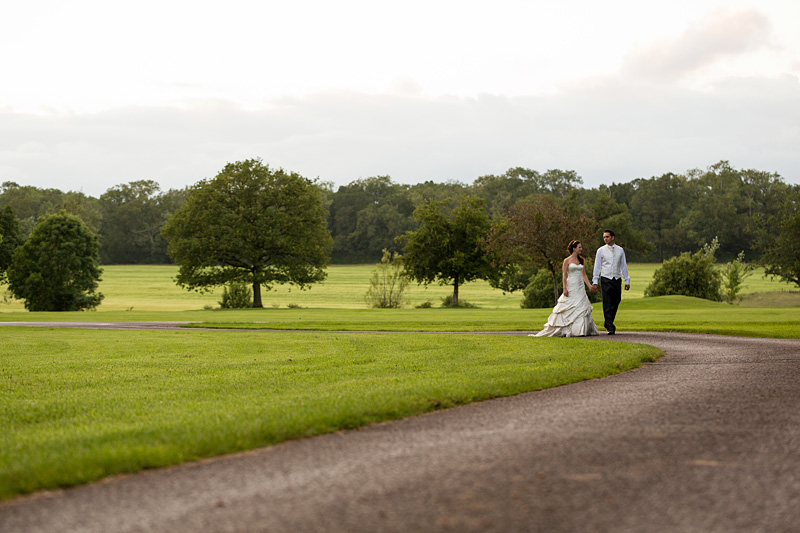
point(449, 245)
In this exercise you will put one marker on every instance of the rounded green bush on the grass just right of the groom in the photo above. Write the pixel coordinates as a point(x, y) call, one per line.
point(689, 274)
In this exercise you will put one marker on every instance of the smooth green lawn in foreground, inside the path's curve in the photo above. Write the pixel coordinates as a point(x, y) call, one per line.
point(80, 405)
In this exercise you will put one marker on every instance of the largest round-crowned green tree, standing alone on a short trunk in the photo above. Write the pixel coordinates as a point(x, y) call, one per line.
point(250, 224)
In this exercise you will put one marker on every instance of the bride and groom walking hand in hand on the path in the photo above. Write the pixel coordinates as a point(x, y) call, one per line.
point(572, 315)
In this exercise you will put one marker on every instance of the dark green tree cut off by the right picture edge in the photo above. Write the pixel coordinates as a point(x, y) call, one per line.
point(782, 258)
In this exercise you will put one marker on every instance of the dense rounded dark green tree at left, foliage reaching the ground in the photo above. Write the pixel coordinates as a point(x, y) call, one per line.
point(57, 269)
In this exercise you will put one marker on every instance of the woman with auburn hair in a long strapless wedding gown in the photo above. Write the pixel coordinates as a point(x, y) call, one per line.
point(572, 315)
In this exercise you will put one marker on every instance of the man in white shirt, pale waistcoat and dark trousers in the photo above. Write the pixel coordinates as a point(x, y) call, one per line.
point(611, 267)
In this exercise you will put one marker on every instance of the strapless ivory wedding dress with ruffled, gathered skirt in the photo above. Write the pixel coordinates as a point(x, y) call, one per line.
point(572, 315)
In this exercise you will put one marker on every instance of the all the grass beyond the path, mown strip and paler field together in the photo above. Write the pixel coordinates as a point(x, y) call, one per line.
point(148, 293)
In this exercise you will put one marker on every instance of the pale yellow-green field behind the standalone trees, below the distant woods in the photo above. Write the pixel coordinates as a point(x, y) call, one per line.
point(151, 288)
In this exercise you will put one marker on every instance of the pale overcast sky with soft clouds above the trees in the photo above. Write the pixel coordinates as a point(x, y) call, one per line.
point(98, 93)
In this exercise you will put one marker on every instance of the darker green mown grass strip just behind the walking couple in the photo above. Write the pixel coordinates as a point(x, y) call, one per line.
point(663, 313)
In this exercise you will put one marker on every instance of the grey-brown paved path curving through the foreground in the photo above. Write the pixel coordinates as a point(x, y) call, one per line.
point(705, 439)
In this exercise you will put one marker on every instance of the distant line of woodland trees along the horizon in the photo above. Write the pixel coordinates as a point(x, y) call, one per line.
point(655, 218)
